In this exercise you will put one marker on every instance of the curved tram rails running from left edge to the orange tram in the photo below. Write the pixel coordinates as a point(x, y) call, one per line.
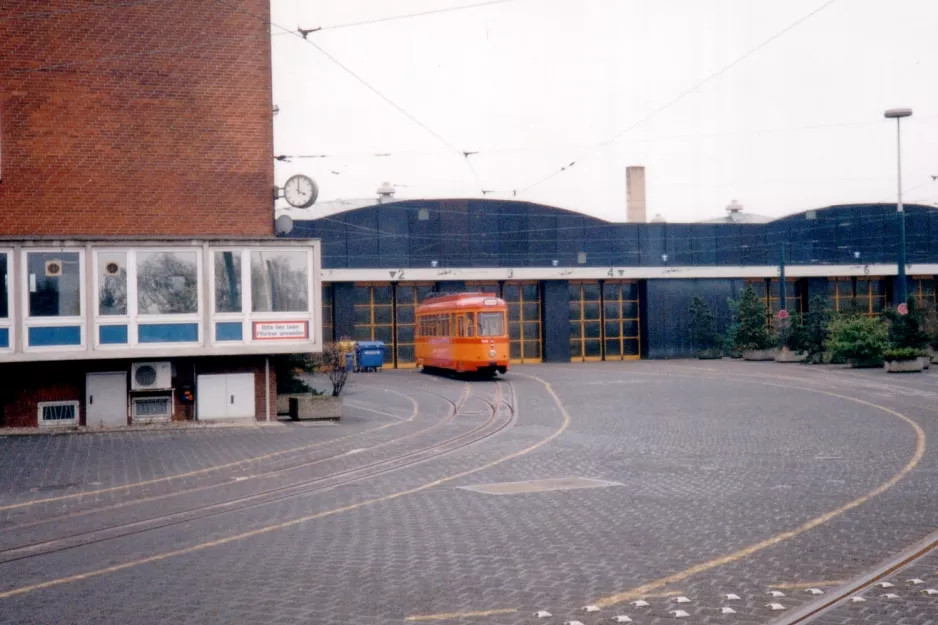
point(491, 427)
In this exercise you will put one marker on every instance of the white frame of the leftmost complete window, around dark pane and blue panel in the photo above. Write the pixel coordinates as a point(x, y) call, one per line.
point(27, 321)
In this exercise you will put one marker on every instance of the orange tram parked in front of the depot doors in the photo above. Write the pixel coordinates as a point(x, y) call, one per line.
point(464, 332)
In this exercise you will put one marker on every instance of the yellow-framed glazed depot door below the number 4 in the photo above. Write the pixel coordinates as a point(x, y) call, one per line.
point(604, 320)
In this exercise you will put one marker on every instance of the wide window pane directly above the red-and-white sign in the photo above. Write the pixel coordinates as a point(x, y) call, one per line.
point(279, 281)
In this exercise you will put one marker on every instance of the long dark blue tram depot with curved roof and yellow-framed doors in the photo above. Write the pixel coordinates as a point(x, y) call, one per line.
point(584, 289)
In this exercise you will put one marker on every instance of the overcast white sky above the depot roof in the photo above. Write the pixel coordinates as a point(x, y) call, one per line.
point(535, 84)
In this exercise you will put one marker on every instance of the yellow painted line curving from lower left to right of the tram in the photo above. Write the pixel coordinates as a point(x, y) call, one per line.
point(312, 517)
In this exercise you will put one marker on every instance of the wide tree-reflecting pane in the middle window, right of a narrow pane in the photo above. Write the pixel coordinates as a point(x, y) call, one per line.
point(167, 283)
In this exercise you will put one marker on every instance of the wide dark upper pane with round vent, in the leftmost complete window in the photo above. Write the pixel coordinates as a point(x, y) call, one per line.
point(54, 284)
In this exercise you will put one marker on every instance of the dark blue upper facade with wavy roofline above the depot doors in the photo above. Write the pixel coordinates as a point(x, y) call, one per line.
point(493, 233)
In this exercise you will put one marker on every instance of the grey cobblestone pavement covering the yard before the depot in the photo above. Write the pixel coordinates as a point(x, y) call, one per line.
point(721, 478)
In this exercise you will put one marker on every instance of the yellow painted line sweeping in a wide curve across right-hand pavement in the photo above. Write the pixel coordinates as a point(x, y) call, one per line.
point(920, 441)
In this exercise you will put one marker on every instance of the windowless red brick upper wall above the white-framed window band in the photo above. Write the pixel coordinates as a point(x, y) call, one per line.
point(143, 118)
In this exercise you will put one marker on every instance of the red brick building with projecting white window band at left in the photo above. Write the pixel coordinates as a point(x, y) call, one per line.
point(138, 260)
